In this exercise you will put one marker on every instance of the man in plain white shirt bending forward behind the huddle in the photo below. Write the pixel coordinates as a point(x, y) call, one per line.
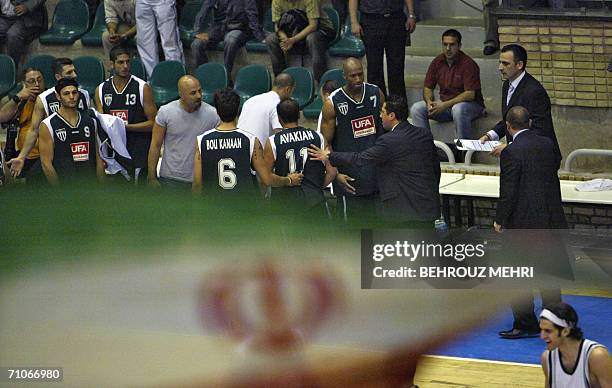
point(259, 115)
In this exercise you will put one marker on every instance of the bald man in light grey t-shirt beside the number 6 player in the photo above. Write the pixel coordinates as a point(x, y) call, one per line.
point(177, 126)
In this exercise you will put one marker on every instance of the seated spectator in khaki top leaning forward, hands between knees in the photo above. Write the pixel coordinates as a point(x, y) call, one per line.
point(309, 24)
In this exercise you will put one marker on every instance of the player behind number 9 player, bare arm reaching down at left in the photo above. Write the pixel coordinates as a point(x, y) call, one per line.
point(47, 103)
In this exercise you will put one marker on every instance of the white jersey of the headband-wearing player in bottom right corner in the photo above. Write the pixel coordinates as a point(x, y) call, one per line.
point(558, 377)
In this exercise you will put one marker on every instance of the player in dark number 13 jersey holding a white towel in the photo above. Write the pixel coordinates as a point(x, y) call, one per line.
point(131, 99)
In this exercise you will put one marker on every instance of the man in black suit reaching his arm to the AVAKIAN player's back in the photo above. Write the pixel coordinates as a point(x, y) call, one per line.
point(408, 169)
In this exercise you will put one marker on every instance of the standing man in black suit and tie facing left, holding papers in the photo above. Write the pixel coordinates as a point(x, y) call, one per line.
point(521, 89)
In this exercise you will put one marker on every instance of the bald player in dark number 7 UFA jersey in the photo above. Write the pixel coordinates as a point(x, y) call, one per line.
point(351, 123)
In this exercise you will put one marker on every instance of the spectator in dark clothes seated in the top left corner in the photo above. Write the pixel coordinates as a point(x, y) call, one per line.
point(21, 21)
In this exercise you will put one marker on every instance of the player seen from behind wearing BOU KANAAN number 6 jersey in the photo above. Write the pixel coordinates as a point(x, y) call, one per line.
point(226, 156)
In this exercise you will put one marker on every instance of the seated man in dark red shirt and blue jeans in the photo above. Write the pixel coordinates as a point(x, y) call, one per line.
point(460, 96)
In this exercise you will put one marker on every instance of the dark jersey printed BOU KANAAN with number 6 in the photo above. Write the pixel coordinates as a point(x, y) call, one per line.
point(226, 163)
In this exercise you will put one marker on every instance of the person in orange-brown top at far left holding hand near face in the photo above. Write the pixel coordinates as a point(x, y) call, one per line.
point(18, 110)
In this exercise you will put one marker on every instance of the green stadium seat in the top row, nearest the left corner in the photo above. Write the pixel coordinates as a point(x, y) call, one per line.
point(70, 22)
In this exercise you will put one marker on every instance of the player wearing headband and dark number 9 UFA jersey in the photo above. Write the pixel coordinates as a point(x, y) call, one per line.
point(68, 140)
